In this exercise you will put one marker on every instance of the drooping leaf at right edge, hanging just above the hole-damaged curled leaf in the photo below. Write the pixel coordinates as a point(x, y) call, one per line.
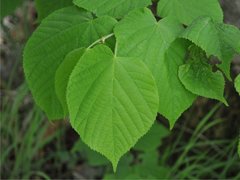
point(216, 39)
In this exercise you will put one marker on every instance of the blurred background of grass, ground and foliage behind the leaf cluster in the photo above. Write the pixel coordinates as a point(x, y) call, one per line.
point(203, 143)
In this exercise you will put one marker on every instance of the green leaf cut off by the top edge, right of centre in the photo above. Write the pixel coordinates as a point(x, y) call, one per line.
point(185, 11)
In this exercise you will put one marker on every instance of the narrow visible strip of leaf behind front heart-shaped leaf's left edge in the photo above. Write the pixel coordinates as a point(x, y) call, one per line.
point(63, 73)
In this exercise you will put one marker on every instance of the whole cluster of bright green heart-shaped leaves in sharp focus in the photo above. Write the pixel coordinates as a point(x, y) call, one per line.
point(111, 66)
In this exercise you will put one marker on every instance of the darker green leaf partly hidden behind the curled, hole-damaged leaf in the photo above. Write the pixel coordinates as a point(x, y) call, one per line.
point(174, 98)
